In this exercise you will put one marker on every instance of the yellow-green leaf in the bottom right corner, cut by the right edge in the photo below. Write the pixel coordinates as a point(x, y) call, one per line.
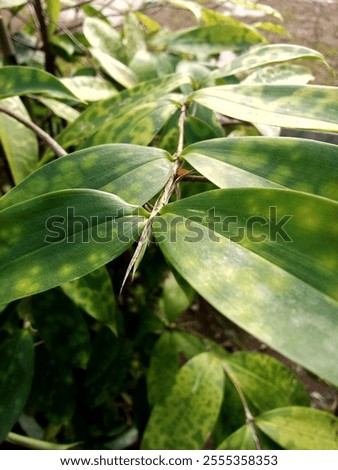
point(297, 428)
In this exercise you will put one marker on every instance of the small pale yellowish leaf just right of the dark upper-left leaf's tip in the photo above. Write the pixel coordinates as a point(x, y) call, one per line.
point(89, 88)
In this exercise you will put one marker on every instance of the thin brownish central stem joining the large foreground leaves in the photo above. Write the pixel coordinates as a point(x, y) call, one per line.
point(163, 199)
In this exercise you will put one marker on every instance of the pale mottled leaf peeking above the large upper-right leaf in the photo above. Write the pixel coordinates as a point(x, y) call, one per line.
point(280, 74)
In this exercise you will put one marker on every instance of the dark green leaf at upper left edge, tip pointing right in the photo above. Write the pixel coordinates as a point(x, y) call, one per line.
point(17, 80)
